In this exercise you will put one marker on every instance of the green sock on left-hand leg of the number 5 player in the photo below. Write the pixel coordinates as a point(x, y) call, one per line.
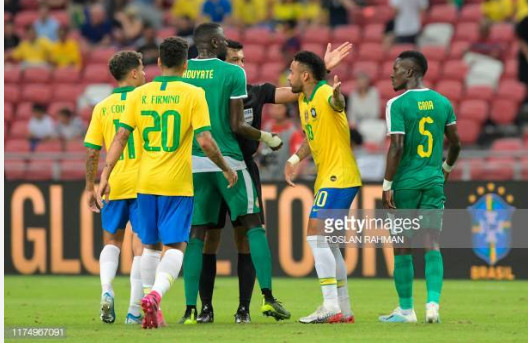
point(403, 279)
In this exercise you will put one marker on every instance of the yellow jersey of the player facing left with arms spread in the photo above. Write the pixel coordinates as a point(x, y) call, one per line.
point(328, 135)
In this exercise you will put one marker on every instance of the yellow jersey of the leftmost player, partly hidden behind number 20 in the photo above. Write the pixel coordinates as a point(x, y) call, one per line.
point(102, 129)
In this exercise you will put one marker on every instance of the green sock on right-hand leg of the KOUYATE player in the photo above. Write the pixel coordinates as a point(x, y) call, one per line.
point(260, 255)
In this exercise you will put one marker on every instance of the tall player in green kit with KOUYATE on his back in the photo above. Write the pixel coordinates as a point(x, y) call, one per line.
point(225, 89)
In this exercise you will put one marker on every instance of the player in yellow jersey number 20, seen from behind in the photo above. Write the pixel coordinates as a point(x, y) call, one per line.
point(167, 114)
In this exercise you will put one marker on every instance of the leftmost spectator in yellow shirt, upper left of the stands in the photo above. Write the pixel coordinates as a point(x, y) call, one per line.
point(32, 51)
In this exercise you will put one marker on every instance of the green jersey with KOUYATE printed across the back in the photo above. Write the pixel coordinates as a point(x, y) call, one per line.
point(221, 81)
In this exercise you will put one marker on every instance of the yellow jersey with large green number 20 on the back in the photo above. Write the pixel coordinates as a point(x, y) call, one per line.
point(167, 113)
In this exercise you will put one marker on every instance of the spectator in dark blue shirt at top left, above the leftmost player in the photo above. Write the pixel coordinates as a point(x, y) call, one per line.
point(97, 28)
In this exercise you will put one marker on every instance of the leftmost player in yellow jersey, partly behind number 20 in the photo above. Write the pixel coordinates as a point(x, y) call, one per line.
point(127, 69)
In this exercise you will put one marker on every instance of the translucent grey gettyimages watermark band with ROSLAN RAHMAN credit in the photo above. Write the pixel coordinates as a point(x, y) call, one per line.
point(494, 228)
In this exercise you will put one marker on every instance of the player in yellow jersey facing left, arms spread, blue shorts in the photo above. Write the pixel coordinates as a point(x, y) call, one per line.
point(327, 137)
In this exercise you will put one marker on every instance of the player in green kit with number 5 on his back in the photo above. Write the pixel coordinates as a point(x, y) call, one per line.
point(417, 121)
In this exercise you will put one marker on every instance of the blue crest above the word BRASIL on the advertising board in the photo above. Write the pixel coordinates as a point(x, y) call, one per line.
point(491, 223)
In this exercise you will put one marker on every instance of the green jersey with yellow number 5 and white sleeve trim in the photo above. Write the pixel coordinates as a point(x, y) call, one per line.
point(422, 115)
